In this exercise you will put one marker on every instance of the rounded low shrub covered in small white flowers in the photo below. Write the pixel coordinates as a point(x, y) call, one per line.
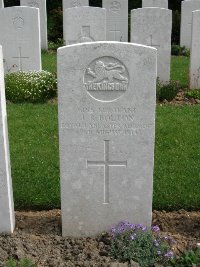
point(34, 86)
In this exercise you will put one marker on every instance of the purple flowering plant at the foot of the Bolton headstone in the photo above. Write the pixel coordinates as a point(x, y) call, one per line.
point(136, 242)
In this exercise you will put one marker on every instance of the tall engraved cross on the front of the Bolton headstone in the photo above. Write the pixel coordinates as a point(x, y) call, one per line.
point(106, 163)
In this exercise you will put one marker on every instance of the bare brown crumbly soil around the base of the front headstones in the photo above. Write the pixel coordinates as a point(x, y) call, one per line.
point(38, 237)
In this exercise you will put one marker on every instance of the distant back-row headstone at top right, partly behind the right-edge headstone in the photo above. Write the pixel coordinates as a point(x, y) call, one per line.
point(186, 21)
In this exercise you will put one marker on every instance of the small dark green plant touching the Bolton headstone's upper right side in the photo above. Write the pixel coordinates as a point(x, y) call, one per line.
point(167, 91)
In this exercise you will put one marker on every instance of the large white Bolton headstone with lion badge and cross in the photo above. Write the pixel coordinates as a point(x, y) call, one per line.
point(106, 132)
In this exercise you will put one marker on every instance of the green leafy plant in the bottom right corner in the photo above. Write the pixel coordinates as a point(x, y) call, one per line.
point(187, 259)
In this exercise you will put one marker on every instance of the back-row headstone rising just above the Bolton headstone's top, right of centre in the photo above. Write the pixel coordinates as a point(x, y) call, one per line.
point(117, 20)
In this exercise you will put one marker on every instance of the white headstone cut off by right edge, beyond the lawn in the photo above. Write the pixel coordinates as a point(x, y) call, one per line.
point(195, 52)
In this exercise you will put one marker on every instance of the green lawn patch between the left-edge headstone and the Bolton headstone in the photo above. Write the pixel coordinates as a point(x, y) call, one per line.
point(33, 134)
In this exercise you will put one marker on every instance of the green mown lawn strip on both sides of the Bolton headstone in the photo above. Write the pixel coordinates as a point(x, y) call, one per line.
point(33, 132)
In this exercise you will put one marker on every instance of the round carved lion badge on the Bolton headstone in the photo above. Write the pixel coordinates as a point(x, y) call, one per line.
point(106, 79)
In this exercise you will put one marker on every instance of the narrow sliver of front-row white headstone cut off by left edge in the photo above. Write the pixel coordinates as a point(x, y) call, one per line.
point(7, 218)
